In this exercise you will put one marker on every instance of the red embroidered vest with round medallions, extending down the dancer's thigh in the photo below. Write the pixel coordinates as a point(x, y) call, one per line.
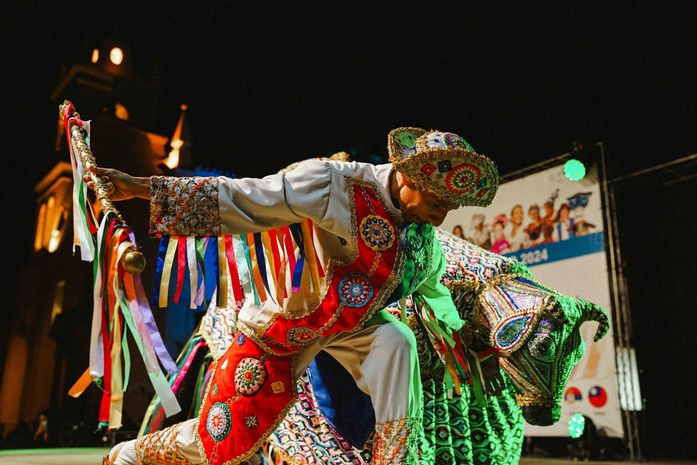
point(253, 385)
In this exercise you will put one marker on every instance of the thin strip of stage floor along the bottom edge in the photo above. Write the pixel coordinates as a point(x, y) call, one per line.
point(93, 456)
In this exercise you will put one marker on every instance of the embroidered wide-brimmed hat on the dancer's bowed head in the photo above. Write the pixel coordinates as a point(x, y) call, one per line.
point(445, 164)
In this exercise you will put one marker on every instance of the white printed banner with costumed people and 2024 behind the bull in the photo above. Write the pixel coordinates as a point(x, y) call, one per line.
point(555, 226)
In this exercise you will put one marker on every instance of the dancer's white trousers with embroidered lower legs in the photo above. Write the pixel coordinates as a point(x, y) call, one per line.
point(383, 360)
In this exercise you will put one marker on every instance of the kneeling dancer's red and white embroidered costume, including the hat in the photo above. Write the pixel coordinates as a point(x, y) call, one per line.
point(336, 253)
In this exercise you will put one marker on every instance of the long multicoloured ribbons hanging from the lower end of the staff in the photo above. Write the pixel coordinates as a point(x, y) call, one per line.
point(120, 309)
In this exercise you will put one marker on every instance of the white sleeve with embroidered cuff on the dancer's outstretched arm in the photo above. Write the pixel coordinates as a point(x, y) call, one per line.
point(220, 205)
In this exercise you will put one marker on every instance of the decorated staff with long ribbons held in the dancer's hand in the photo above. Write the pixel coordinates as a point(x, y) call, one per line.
point(120, 303)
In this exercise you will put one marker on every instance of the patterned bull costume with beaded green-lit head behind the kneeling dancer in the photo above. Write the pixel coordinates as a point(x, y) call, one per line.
point(535, 327)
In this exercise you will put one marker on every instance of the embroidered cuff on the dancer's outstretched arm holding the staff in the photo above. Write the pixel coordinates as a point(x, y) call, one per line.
point(184, 206)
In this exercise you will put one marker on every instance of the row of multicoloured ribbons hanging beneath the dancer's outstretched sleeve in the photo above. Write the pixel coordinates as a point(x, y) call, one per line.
point(271, 264)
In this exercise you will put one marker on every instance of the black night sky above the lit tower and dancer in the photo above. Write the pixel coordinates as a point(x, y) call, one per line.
point(267, 85)
